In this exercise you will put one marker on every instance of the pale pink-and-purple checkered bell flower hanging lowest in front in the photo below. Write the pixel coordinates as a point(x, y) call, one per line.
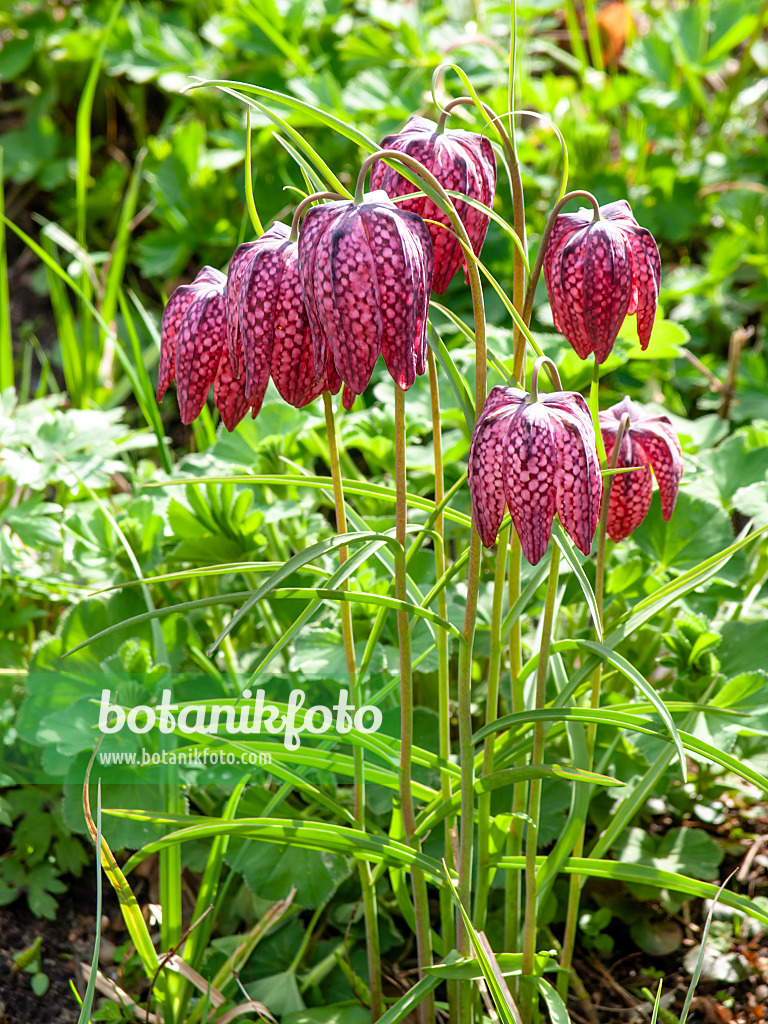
point(535, 454)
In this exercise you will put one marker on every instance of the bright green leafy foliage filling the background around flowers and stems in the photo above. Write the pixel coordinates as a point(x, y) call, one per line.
point(212, 559)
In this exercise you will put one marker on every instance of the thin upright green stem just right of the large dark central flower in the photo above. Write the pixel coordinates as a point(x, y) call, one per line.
point(444, 681)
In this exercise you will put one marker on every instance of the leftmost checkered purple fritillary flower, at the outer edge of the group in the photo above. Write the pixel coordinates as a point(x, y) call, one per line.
point(194, 353)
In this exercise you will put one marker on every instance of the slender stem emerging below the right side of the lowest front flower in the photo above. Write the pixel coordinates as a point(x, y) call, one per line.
point(532, 840)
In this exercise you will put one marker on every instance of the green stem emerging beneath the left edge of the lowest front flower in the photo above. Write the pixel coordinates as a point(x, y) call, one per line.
point(485, 871)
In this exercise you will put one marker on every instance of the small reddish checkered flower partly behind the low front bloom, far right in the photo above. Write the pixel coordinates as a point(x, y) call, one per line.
point(649, 443)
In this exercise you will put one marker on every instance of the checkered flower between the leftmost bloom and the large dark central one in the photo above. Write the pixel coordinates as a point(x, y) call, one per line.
point(269, 332)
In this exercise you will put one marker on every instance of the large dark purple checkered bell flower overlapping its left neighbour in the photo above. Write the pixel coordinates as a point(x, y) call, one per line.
point(366, 273)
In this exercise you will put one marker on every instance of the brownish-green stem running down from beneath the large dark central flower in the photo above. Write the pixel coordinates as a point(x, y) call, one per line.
point(418, 882)
